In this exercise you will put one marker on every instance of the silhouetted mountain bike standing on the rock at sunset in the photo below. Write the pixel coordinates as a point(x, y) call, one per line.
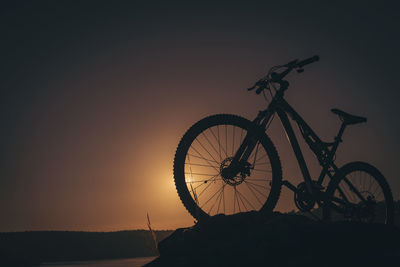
point(227, 164)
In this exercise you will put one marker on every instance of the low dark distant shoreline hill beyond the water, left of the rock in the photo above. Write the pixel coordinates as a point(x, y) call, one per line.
point(35, 247)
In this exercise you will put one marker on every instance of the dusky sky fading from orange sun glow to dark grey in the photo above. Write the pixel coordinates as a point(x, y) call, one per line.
point(95, 97)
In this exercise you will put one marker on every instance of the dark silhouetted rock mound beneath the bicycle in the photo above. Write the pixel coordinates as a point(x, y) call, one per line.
point(249, 239)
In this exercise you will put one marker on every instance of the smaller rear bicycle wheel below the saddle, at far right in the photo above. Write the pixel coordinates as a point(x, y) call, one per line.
point(362, 194)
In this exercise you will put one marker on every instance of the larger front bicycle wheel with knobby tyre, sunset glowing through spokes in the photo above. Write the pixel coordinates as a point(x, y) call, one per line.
point(205, 150)
